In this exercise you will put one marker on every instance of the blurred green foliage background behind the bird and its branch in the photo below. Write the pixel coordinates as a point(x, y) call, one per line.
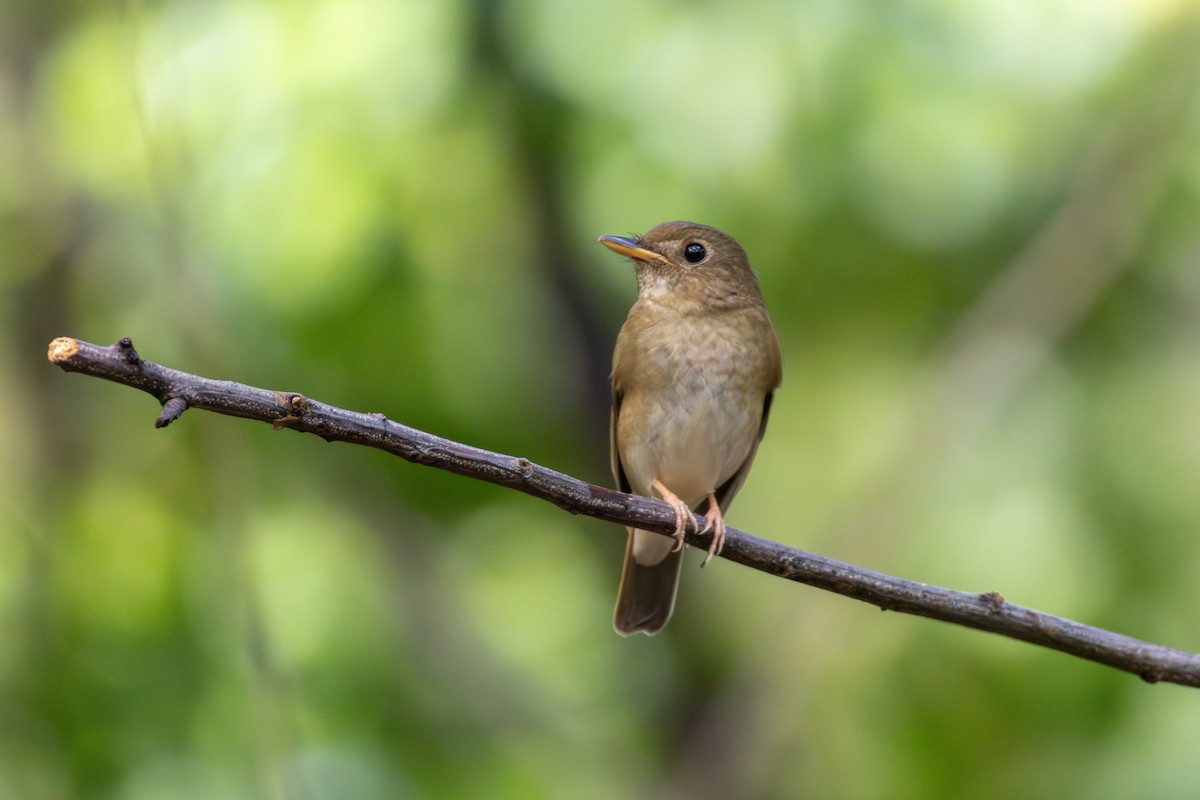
point(977, 231)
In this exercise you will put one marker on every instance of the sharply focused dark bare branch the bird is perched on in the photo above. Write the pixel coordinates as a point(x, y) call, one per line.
point(991, 612)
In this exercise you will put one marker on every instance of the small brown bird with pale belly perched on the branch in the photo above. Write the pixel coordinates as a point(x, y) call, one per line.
point(695, 369)
